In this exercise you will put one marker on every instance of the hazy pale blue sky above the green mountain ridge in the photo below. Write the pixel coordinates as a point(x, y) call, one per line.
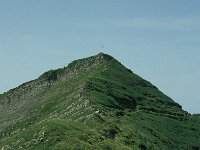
point(158, 39)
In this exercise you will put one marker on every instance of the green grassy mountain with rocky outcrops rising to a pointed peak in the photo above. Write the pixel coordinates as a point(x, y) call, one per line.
point(94, 103)
